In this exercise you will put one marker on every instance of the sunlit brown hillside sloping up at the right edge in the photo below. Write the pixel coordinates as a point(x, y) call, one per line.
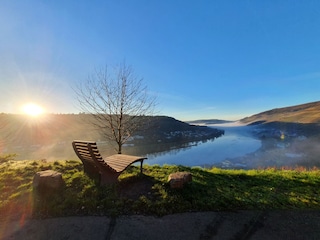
point(303, 113)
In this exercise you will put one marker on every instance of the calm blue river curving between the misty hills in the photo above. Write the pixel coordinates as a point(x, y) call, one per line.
point(236, 142)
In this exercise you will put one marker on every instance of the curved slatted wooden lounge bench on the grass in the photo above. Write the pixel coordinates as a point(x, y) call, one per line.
point(104, 170)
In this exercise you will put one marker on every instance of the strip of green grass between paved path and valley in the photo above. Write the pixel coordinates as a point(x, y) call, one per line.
point(211, 190)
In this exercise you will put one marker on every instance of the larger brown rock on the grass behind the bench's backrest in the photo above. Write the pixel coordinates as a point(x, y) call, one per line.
point(48, 179)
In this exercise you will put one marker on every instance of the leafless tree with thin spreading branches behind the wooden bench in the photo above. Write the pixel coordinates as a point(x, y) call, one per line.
point(117, 101)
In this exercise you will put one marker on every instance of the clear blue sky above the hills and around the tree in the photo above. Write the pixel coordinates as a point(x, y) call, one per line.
point(203, 59)
